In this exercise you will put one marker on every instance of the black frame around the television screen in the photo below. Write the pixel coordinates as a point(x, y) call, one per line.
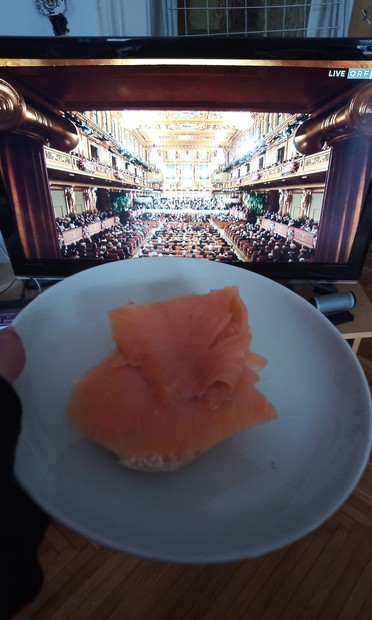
point(190, 48)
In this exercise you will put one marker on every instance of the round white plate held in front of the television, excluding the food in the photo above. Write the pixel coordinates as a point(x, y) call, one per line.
point(252, 494)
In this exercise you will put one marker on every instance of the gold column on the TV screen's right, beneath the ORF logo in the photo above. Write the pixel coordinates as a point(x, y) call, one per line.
point(348, 131)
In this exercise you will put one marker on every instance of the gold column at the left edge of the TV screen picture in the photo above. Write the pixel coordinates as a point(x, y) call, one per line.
point(24, 130)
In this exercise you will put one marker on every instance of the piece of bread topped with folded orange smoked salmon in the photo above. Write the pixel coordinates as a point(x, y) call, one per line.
point(181, 379)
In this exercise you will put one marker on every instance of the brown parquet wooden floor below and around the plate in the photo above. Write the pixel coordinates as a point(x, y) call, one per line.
point(327, 575)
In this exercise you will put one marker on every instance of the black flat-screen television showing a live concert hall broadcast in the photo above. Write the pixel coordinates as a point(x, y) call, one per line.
point(252, 151)
